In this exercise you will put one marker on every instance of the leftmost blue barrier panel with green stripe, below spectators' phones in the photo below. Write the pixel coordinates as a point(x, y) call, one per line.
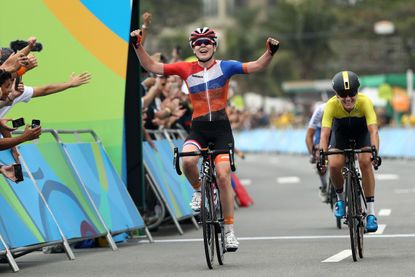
point(25, 220)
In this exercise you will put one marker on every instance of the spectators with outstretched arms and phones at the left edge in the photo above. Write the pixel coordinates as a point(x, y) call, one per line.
point(16, 62)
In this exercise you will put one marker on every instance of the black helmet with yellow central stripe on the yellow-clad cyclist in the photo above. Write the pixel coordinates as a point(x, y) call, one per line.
point(346, 83)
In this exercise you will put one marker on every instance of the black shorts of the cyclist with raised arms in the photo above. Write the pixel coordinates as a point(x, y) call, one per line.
point(217, 132)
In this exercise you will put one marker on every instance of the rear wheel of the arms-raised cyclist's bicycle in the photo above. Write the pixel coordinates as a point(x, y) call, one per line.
point(219, 228)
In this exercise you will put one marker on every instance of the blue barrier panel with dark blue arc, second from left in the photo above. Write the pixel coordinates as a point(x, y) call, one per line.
point(65, 197)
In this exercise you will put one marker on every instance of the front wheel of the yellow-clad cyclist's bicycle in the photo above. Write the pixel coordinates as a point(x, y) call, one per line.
point(351, 216)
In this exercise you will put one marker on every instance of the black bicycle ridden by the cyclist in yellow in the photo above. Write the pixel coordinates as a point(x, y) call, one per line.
point(355, 198)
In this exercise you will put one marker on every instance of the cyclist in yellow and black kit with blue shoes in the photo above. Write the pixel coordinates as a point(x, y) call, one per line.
point(350, 116)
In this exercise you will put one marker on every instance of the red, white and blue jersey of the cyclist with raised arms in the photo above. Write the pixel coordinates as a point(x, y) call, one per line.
point(208, 87)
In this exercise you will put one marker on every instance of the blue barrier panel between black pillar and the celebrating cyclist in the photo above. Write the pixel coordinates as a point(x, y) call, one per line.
point(167, 180)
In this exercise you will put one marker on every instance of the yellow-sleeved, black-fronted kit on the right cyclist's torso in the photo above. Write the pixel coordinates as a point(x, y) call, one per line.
point(347, 126)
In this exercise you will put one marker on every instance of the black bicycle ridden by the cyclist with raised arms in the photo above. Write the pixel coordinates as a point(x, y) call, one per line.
point(211, 213)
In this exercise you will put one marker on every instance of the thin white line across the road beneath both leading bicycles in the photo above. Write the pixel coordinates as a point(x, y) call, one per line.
point(289, 238)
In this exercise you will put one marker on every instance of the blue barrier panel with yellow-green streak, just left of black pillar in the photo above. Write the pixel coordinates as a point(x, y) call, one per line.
point(107, 190)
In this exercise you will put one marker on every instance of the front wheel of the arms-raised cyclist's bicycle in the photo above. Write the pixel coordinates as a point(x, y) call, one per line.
point(206, 214)
